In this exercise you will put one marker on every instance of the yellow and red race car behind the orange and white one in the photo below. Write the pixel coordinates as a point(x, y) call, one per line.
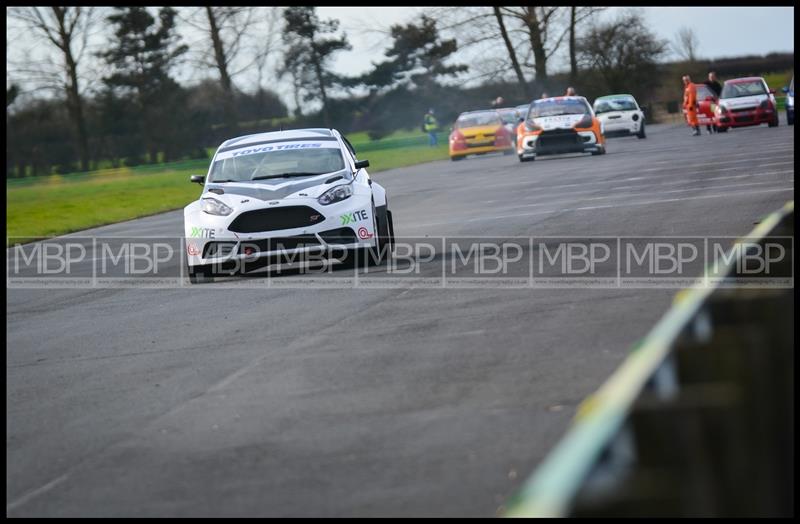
point(478, 132)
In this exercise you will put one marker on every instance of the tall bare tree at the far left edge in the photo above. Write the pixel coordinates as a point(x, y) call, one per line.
point(68, 30)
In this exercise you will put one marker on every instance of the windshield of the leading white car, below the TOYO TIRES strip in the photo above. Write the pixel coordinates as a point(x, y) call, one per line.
point(276, 164)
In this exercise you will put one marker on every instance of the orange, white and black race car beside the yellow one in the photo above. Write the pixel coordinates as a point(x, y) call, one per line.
point(563, 124)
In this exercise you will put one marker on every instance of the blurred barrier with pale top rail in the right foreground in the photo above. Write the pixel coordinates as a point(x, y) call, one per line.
point(698, 420)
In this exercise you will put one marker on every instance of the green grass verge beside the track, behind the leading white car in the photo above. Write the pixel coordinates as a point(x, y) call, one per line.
point(52, 205)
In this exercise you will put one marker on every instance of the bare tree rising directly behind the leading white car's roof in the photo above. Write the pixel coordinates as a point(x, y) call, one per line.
point(236, 39)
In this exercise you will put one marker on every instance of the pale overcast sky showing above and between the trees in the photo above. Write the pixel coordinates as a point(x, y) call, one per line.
point(721, 31)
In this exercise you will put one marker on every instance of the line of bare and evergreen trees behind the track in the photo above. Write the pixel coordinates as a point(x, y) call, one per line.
point(138, 112)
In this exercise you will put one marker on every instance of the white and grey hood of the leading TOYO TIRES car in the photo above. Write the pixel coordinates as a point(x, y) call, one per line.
point(232, 193)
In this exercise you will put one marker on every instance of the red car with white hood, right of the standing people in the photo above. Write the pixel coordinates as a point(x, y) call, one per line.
point(746, 102)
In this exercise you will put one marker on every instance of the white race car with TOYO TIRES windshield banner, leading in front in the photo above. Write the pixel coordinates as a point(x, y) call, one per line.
point(283, 196)
